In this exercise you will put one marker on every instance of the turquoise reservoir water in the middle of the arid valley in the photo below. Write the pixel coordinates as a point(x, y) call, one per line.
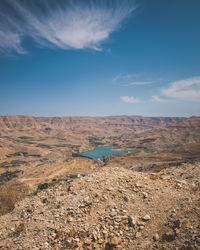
point(100, 152)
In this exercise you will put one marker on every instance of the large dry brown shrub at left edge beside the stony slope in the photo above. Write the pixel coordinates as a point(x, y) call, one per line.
point(10, 193)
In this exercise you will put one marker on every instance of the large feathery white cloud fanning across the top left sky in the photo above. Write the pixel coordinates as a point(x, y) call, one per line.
point(65, 24)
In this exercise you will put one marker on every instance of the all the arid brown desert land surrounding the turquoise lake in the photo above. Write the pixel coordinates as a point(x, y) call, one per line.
point(52, 198)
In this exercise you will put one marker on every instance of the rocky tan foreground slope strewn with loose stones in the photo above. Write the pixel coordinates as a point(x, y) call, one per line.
point(113, 208)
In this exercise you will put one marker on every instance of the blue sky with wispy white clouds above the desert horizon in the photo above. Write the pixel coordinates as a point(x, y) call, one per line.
point(100, 57)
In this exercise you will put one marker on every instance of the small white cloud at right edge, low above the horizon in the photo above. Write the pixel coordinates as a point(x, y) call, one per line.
point(186, 90)
